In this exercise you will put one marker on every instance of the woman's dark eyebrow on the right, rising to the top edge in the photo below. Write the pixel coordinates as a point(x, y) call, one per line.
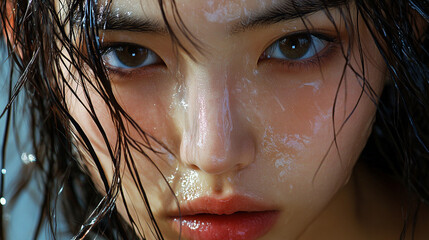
point(286, 10)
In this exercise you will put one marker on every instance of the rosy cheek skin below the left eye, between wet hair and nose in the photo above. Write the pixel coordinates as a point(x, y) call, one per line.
point(148, 104)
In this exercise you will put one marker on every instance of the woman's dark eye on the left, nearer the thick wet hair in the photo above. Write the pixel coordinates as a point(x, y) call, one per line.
point(129, 56)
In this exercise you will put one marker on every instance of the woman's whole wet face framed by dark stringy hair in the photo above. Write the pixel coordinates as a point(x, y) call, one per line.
point(249, 120)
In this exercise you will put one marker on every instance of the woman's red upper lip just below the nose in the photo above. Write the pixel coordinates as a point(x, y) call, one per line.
point(220, 206)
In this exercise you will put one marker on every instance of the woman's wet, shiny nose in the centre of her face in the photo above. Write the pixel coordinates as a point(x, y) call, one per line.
point(215, 139)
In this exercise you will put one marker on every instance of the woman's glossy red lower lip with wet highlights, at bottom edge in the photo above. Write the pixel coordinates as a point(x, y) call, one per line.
point(237, 226)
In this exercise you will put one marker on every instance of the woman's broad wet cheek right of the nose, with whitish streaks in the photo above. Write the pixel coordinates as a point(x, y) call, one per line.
point(295, 133)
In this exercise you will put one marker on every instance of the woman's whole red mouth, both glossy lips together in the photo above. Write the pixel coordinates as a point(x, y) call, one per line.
point(235, 218)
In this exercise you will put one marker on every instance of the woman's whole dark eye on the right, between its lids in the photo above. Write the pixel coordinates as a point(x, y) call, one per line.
point(296, 47)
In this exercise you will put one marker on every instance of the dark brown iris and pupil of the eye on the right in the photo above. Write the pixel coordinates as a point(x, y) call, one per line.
point(295, 47)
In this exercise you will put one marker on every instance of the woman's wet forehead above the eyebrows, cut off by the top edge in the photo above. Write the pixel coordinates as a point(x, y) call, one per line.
point(197, 12)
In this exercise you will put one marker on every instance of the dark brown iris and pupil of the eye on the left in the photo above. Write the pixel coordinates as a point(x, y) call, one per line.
point(131, 56)
